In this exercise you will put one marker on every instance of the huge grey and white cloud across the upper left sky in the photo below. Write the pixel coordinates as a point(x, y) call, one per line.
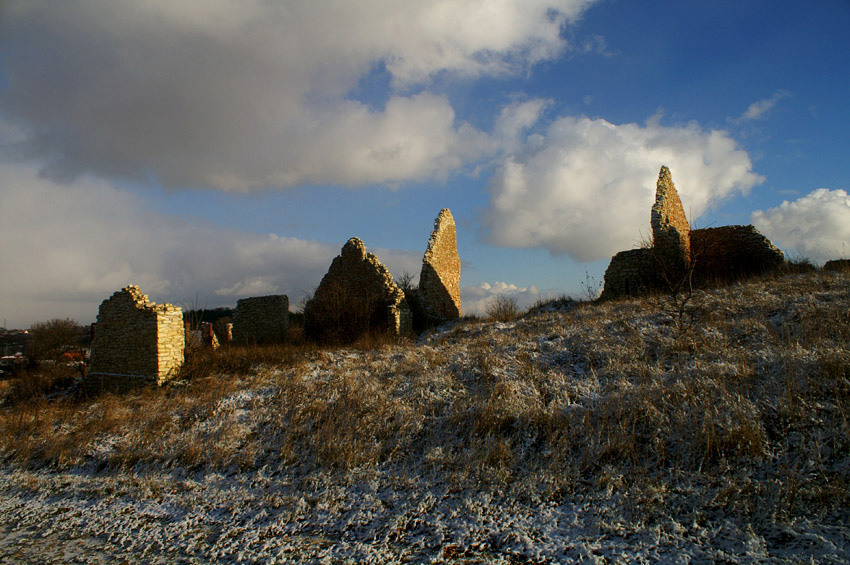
point(239, 95)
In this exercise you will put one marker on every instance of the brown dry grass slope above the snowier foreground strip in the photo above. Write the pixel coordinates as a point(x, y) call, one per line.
point(751, 402)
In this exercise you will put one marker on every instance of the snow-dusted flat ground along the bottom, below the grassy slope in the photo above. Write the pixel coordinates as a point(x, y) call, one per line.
point(83, 516)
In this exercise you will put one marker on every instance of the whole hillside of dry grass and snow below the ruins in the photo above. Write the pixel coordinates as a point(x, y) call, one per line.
point(711, 428)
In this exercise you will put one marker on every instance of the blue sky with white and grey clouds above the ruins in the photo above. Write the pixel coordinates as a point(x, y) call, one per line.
point(210, 150)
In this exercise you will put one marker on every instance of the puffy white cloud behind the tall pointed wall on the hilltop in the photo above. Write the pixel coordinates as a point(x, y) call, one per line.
point(585, 188)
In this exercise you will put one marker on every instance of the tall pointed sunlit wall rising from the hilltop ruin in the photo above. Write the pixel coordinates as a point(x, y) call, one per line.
point(670, 227)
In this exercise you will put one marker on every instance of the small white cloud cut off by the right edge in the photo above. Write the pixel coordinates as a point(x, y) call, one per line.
point(816, 225)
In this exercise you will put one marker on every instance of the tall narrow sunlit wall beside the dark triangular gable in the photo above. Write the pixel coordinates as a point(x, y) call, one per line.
point(439, 280)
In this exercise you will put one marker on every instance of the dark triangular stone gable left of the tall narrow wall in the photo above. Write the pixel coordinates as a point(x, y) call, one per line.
point(357, 296)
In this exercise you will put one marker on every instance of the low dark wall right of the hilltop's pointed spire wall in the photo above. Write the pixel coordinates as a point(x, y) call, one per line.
point(732, 252)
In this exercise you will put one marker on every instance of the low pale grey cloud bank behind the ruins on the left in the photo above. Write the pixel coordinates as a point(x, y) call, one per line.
point(68, 247)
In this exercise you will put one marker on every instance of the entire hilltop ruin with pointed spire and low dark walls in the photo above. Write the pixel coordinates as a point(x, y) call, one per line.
point(680, 255)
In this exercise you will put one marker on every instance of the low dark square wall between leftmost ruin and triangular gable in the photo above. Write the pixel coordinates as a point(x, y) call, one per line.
point(262, 319)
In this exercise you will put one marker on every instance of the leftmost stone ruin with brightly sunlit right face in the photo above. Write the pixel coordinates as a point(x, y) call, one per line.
point(135, 341)
